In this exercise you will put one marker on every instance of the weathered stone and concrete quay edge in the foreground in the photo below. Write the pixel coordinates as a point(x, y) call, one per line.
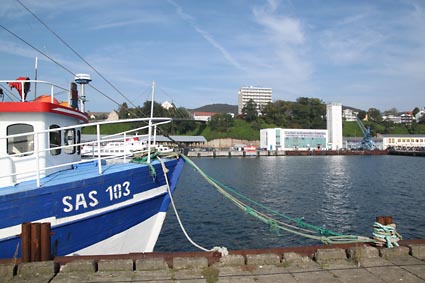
point(335, 263)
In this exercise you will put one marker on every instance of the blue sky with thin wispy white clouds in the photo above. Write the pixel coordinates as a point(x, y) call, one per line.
point(361, 53)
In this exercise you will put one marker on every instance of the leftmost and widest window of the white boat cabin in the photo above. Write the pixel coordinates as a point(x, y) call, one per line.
point(23, 144)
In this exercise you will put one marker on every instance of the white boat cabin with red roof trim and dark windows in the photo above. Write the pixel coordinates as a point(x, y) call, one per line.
point(38, 136)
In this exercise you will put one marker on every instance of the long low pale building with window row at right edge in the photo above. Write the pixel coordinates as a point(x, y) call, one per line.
point(404, 142)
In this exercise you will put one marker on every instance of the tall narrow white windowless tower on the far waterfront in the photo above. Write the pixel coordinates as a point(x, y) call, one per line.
point(334, 125)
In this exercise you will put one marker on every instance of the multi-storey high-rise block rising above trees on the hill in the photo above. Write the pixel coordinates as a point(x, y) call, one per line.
point(260, 95)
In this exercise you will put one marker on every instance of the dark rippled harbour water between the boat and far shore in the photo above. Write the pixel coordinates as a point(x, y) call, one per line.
point(340, 193)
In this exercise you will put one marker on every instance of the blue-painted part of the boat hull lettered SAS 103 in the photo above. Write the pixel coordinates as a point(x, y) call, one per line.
point(84, 207)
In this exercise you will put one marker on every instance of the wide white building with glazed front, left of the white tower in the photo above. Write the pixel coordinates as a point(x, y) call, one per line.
point(293, 139)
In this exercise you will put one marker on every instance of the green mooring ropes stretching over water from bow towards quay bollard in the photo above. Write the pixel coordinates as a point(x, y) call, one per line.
point(304, 229)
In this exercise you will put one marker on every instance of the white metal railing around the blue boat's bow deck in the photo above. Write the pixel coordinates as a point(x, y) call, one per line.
point(39, 155)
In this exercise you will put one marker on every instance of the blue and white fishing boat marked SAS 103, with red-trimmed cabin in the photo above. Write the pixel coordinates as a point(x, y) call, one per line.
point(98, 205)
